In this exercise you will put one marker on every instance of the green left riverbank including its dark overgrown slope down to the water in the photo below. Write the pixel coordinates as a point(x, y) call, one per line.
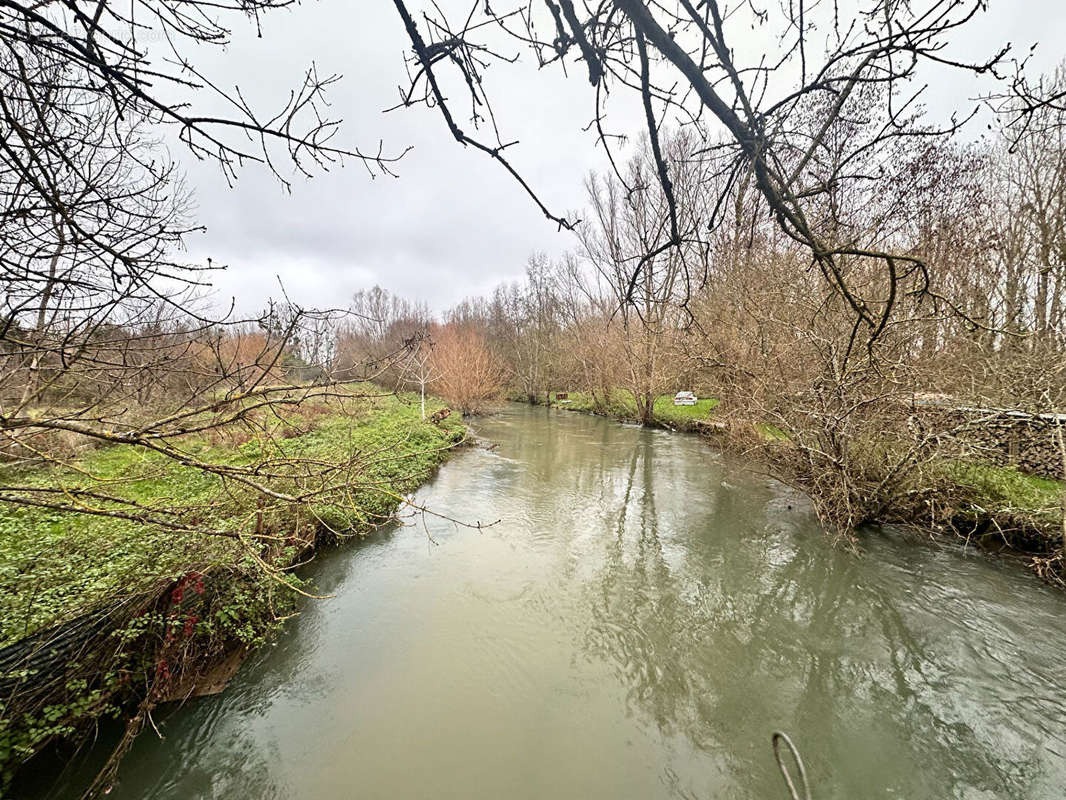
point(151, 607)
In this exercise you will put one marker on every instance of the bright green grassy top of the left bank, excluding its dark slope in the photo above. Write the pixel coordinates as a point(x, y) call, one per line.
point(57, 565)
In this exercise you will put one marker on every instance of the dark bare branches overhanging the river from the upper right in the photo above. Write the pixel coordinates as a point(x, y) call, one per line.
point(823, 107)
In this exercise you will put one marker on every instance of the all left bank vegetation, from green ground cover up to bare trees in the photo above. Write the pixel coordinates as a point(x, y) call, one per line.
point(164, 463)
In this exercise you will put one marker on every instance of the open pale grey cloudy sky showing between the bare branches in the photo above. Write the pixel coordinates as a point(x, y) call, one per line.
point(454, 225)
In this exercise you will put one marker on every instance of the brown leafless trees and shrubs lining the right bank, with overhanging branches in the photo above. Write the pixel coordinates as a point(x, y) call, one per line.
point(879, 284)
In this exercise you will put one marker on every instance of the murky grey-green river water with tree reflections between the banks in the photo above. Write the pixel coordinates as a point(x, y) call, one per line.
point(642, 619)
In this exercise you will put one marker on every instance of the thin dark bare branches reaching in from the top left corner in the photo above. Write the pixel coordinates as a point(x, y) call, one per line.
point(140, 60)
